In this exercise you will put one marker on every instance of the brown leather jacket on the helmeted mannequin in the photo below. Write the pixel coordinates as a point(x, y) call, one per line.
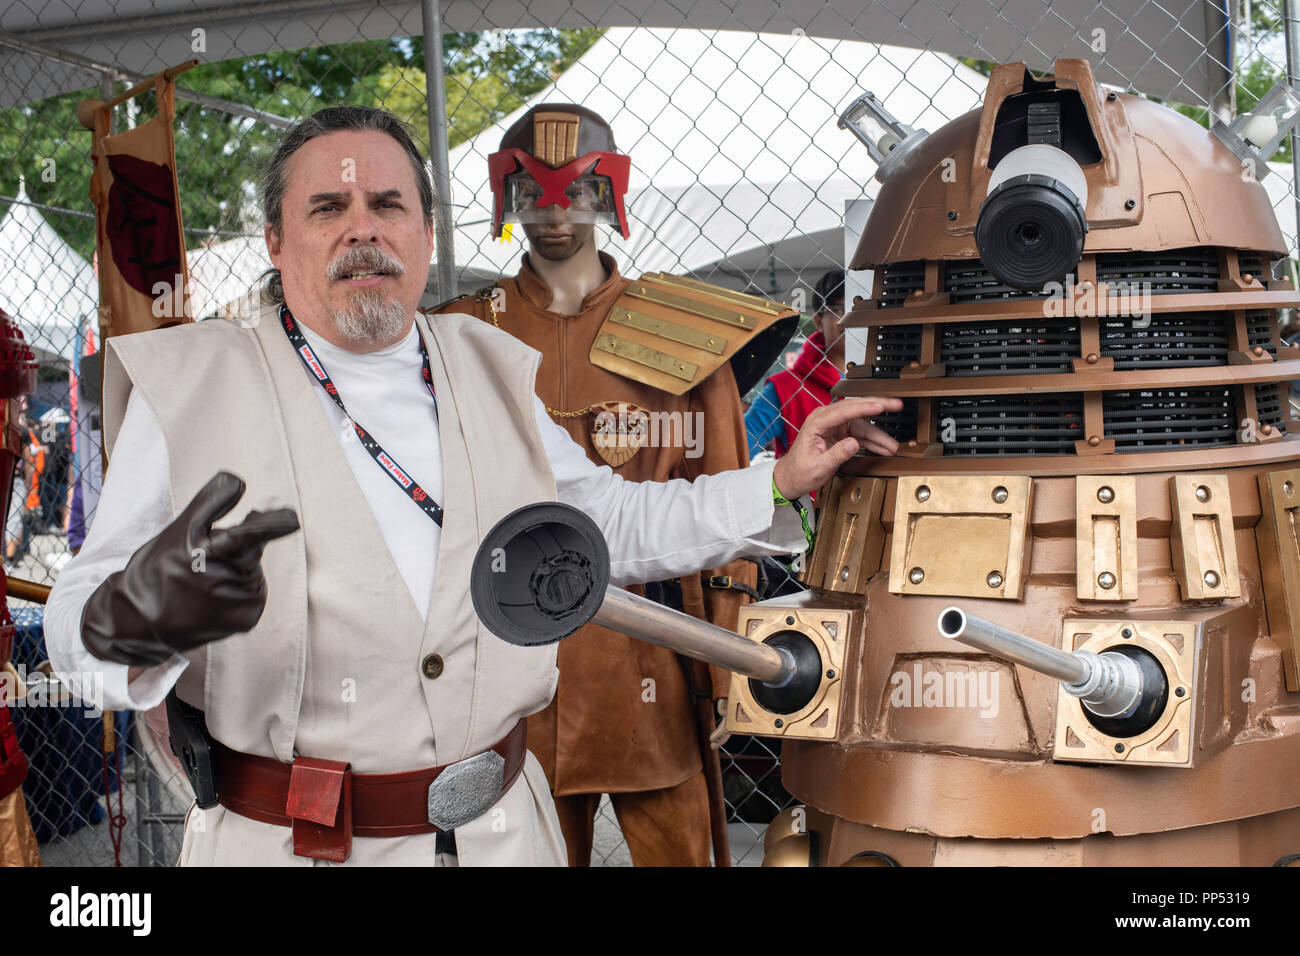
point(608, 730)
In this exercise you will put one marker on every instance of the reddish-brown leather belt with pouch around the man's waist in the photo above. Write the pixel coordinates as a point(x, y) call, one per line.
point(331, 803)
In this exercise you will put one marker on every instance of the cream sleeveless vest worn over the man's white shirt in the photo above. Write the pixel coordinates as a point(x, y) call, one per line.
point(333, 669)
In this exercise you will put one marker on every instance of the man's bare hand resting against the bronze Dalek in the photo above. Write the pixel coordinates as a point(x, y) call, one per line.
point(830, 438)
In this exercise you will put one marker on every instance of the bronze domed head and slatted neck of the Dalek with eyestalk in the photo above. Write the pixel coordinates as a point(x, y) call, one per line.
point(1159, 336)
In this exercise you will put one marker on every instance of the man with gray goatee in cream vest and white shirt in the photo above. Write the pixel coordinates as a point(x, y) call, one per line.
point(322, 642)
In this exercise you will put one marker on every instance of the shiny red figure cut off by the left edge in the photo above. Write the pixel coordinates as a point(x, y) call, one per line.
point(18, 379)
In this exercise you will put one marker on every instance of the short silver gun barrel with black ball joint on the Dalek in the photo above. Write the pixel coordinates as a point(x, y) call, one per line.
point(1123, 690)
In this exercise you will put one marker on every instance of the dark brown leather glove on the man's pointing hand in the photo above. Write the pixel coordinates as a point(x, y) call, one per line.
point(189, 586)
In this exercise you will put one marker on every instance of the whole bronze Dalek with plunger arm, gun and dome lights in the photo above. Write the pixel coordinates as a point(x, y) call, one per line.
point(1063, 625)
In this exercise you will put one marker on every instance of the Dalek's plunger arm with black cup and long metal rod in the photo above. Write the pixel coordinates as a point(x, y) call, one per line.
point(543, 573)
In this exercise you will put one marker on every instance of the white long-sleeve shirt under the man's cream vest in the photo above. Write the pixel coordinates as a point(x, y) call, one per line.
point(655, 530)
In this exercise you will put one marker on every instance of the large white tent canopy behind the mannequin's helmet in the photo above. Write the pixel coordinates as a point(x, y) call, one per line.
point(736, 172)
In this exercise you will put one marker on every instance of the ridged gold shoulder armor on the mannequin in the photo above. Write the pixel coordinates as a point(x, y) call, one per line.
point(673, 334)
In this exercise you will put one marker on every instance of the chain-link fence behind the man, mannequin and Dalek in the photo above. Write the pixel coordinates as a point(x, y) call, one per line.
point(742, 178)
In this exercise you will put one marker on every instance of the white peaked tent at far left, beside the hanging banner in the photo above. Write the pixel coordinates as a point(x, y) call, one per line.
point(45, 284)
